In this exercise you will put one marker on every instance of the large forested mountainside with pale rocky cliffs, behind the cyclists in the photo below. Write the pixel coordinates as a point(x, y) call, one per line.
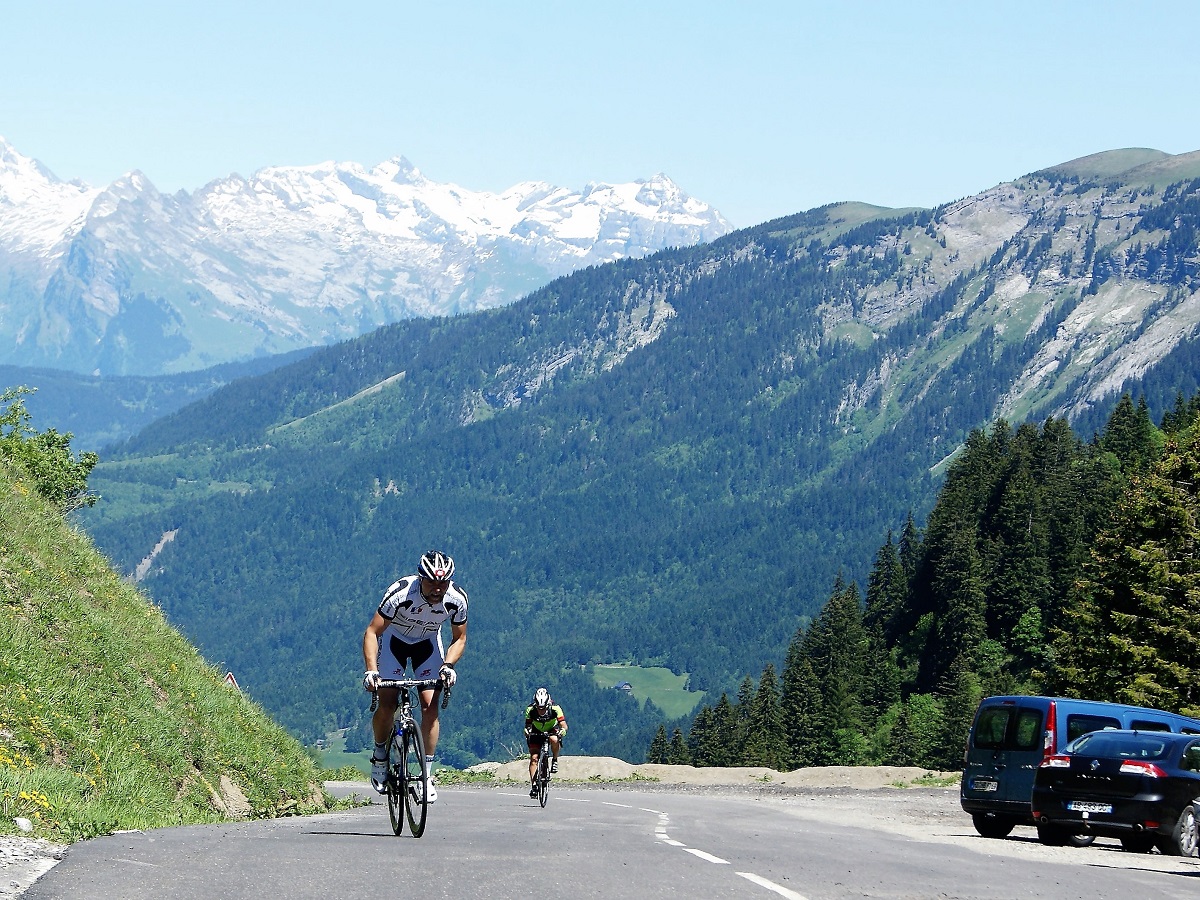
point(663, 463)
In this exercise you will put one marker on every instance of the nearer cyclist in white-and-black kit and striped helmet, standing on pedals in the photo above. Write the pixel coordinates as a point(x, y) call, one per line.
point(406, 632)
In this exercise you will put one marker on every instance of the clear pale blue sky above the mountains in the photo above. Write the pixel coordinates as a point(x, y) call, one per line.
point(760, 109)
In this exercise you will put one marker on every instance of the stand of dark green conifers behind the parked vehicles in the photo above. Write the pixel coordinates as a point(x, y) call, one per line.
point(1049, 566)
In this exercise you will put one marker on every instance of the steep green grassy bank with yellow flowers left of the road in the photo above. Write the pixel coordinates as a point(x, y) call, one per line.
point(109, 718)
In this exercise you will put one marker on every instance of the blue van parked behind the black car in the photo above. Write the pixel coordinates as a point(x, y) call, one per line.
point(1011, 736)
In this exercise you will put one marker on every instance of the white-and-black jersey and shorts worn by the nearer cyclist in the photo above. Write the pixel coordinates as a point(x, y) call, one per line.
point(415, 632)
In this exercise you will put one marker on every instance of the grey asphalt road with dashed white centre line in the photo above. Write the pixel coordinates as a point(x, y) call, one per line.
point(589, 843)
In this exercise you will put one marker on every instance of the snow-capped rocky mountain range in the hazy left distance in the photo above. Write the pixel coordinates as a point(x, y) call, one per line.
point(128, 280)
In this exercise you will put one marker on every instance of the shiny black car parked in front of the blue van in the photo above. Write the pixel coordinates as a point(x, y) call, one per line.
point(1138, 787)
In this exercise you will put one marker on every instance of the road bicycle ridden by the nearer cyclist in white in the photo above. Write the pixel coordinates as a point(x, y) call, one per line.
point(409, 771)
